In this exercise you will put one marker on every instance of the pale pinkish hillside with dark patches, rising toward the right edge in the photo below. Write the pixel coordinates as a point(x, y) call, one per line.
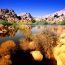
point(54, 18)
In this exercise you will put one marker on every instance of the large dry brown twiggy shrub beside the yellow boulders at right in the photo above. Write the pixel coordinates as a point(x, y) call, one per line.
point(45, 42)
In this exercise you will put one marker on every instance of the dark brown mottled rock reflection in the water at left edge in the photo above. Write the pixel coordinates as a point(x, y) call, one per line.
point(4, 30)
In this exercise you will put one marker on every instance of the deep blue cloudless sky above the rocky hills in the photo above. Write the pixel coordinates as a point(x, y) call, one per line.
point(37, 8)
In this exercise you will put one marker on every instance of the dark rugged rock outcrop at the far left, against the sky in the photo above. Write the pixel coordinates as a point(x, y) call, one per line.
point(8, 15)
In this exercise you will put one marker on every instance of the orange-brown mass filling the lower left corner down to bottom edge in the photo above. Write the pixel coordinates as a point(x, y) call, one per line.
point(5, 50)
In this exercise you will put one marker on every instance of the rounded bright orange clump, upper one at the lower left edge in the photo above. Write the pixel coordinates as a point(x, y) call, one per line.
point(6, 46)
